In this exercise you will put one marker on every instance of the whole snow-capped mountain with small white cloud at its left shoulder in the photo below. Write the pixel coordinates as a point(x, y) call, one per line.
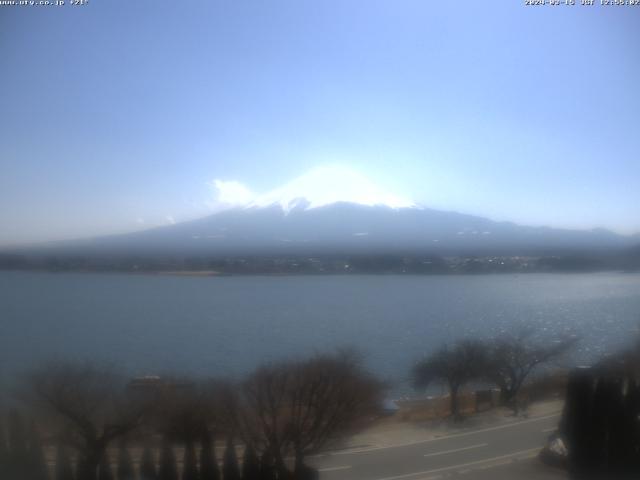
point(335, 210)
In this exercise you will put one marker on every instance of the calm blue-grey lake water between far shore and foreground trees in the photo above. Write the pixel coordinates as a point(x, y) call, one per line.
point(226, 326)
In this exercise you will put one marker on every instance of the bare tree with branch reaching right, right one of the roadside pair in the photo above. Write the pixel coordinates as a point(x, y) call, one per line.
point(512, 358)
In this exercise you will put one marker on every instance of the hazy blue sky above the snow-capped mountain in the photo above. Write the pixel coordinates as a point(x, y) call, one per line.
point(119, 115)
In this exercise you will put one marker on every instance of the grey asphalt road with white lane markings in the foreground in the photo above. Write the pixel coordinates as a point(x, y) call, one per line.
point(501, 451)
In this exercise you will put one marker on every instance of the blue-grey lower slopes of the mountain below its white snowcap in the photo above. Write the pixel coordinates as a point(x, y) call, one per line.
point(349, 228)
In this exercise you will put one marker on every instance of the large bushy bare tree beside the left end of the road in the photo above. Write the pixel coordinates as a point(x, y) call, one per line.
point(300, 407)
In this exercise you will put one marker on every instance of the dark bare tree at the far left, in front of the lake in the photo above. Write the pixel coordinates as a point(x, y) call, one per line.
point(90, 407)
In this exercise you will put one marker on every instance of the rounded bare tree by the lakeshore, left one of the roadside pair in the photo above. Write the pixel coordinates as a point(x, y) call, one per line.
point(454, 367)
